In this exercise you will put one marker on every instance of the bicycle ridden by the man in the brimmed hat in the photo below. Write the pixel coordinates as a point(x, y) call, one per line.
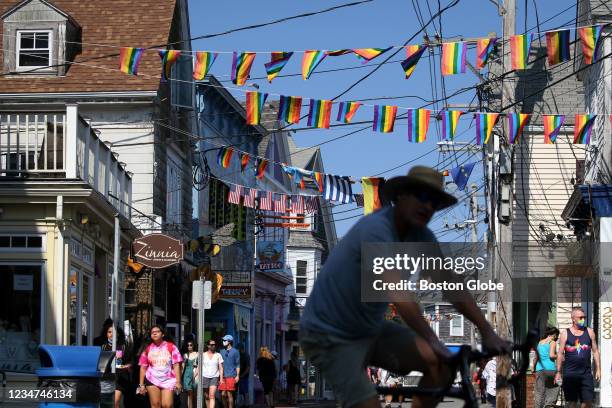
point(462, 358)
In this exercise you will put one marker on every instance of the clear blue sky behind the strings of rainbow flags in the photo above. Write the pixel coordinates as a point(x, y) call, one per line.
point(380, 23)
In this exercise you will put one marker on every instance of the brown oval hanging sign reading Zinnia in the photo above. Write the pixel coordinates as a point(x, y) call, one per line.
point(157, 250)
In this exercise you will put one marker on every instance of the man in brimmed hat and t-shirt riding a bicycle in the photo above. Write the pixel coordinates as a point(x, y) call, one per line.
point(342, 335)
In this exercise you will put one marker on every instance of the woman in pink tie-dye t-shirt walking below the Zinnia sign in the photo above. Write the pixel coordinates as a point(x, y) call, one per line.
point(160, 370)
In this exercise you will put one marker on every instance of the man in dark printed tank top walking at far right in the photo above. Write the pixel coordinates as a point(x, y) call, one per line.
point(577, 346)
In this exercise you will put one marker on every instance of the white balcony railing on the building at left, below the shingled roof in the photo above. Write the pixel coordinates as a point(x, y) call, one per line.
point(62, 145)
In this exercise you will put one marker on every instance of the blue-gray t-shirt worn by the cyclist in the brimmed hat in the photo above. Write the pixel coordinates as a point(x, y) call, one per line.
point(334, 305)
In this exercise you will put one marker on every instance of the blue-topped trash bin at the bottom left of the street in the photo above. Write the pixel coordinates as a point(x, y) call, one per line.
point(74, 371)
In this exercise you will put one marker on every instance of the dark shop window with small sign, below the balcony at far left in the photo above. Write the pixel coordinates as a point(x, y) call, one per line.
point(20, 317)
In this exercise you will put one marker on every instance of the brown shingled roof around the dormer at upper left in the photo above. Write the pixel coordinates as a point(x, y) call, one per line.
point(113, 24)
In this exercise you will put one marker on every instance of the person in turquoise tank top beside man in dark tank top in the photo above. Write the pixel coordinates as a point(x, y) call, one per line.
point(546, 390)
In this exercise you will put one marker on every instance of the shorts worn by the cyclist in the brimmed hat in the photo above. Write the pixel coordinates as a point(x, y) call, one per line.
point(343, 362)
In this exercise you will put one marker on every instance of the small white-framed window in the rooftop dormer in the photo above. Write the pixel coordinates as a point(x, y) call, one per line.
point(34, 49)
